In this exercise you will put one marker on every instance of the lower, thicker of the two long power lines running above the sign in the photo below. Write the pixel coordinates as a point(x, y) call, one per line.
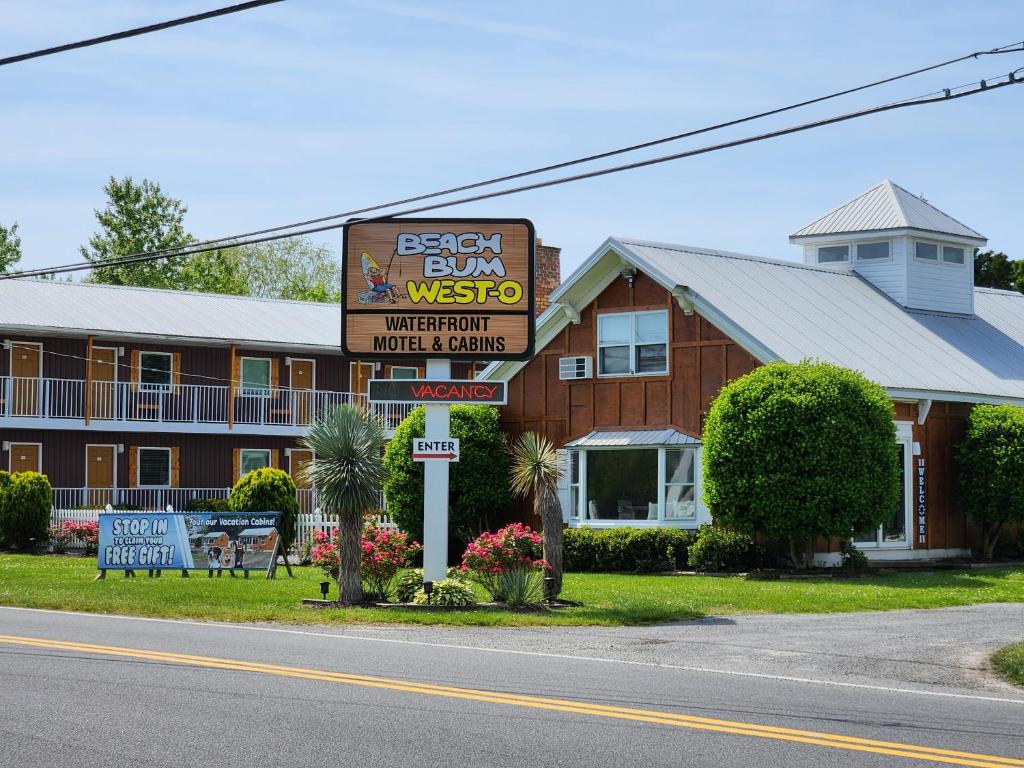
point(946, 96)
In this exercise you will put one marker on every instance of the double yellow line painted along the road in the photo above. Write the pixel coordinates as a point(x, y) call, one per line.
point(835, 741)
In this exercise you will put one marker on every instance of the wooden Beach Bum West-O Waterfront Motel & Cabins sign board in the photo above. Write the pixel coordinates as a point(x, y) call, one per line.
point(439, 288)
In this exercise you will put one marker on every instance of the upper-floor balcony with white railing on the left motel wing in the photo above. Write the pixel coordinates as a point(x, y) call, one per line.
point(73, 404)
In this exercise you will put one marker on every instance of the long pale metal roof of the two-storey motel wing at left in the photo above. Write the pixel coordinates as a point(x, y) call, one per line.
point(118, 311)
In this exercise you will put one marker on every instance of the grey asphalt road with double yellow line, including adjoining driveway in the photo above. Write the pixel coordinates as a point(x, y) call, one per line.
point(84, 691)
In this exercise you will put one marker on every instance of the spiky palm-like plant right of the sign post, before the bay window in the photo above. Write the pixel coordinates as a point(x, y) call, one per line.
point(536, 470)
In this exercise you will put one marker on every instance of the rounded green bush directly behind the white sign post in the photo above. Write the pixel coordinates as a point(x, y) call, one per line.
point(479, 483)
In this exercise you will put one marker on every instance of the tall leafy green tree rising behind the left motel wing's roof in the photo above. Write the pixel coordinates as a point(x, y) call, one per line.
point(138, 219)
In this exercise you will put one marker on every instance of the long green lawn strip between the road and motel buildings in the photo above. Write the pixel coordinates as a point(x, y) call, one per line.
point(67, 583)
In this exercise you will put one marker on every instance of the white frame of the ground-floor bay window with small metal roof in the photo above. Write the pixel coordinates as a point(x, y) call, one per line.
point(579, 517)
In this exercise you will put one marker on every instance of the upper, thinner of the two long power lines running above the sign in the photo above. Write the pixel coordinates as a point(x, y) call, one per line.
point(233, 240)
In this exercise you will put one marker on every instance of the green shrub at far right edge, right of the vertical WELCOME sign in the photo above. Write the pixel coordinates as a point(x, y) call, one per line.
point(992, 471)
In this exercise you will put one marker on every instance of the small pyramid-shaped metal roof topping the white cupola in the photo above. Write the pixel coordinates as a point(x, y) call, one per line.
point(887, 206)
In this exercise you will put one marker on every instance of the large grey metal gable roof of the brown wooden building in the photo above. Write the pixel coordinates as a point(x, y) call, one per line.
point(782, 311)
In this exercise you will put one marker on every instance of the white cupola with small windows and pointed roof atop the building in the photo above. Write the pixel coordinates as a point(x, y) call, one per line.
point(920, 257)
